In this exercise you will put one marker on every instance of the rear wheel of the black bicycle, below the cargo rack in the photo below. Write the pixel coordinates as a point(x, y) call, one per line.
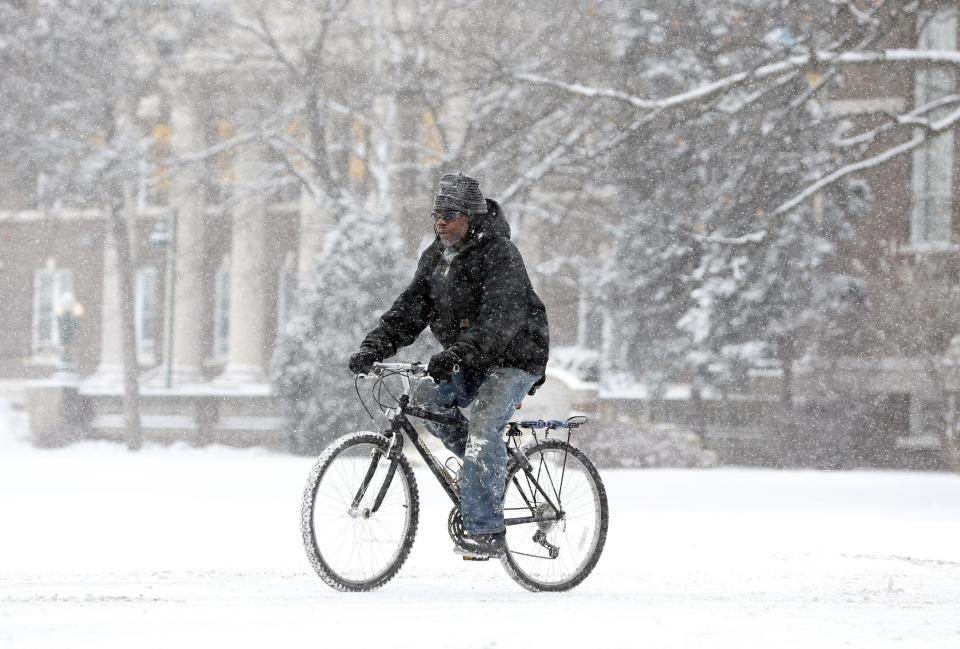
point(555, 552)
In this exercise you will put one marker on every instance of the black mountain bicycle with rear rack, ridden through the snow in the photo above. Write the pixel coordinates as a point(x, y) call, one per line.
point(361, 504)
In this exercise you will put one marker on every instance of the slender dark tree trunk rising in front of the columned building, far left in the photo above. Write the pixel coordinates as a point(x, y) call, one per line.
point(120, 231)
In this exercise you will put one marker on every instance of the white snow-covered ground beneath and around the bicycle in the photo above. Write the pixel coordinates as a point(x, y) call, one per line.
point(183, 547)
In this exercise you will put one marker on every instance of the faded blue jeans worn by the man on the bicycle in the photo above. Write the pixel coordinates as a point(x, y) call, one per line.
point(494, 396)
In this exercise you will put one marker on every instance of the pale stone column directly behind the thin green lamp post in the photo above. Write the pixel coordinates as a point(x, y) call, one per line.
point(187, 203)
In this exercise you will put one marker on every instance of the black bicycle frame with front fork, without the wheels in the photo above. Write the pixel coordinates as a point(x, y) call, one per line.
point(400, 426)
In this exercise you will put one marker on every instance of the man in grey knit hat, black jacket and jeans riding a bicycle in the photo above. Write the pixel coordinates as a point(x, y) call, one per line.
point(471, 287)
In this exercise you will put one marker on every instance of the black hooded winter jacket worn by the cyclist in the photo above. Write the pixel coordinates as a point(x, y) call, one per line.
point(481, 305)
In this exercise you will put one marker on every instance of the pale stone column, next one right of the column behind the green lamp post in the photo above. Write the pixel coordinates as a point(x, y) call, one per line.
point(245, 359)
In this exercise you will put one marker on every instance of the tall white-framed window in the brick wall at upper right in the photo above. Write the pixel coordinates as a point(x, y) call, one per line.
point(931, 221)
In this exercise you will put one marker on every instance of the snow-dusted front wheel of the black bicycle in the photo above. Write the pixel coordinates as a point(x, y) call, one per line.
point(351, 547)
